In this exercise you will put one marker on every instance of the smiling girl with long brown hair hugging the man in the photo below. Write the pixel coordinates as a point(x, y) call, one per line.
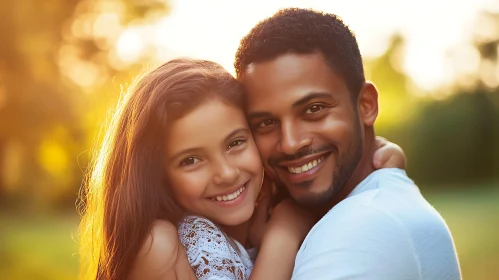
point(178, 160)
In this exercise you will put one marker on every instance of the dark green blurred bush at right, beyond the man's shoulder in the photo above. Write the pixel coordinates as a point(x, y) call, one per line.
point(454, 140)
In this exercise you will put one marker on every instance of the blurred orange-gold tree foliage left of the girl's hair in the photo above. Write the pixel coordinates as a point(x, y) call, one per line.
point(41, 109)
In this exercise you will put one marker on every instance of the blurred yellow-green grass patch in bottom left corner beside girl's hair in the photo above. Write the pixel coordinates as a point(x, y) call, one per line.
point(38, 247)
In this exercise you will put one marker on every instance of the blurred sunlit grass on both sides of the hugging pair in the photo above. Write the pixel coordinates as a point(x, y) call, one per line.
point(43, 247)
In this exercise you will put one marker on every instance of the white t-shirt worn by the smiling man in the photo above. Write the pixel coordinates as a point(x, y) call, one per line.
point(383, 230)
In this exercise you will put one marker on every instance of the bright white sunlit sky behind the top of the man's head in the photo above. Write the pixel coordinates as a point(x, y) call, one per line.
point(212, 30)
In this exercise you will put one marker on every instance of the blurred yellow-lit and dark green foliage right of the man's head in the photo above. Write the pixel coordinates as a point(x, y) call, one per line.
point(453, 140)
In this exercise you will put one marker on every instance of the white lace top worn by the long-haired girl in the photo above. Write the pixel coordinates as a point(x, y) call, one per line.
point(210, 253)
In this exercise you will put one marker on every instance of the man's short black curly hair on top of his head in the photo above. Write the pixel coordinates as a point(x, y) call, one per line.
point(304, 31)
